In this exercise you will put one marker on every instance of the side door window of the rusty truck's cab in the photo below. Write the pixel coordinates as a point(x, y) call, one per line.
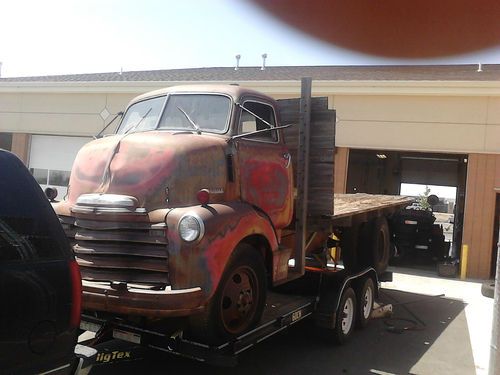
point(250, 123)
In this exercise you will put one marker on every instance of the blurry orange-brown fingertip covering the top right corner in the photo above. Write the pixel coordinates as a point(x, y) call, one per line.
point(395, 28)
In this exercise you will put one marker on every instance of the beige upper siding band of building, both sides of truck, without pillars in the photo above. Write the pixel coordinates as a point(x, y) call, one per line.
point(455, 123)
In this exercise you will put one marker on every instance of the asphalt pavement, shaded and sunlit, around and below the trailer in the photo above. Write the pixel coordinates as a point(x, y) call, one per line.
point(439, 326)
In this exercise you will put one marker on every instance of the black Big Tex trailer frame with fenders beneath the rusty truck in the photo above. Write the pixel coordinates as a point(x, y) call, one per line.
point(120, 340)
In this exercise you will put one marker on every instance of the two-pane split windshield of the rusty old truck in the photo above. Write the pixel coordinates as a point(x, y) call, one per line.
point(208, 112)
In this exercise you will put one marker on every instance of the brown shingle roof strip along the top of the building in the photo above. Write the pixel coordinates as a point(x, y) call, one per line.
point(490, 72)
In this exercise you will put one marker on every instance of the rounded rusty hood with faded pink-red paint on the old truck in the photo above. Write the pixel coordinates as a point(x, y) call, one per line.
point(159, 169)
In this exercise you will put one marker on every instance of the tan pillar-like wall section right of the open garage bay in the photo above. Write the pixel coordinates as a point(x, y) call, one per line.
point(483, 183)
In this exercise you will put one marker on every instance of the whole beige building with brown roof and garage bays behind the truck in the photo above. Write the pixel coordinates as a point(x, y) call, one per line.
point(431, 125)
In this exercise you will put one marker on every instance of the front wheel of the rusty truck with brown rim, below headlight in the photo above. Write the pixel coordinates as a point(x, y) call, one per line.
point(238, 303)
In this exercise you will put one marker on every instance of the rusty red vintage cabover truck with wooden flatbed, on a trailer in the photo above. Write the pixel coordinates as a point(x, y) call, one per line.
point(209, 198)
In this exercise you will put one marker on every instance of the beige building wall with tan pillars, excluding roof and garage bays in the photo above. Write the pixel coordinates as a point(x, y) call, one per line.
point(429, 117)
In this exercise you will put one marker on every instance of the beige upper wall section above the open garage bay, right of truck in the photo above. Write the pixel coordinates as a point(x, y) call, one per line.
point(444, 124)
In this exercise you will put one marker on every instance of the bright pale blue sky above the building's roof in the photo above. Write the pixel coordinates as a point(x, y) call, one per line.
point(84, 36)
